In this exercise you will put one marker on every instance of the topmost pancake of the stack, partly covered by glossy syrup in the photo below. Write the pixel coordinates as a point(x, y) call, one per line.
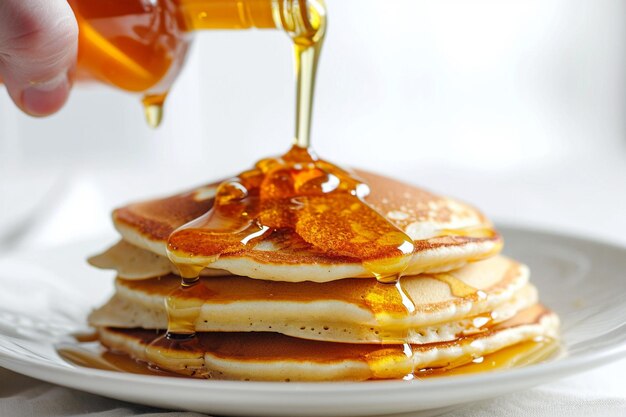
point(447, 234)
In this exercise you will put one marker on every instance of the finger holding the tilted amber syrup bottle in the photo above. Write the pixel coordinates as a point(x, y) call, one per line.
point(38, 44)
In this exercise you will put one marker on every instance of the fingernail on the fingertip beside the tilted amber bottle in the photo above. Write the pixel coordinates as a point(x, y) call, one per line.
point(43, 98)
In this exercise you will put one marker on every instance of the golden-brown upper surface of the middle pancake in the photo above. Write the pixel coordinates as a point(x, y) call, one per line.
point(426, 290)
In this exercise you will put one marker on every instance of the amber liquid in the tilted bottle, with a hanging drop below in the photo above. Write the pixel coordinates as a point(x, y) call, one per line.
point(140, 45)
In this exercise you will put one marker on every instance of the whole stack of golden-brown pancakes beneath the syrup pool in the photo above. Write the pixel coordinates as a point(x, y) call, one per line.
point(286, 310)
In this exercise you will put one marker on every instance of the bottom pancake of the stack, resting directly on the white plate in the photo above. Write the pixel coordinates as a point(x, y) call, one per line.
point(276, 357)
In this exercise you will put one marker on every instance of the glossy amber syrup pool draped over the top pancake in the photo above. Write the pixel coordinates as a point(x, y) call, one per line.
point(314, 201)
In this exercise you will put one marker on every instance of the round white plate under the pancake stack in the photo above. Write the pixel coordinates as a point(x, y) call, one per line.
point(47, 295)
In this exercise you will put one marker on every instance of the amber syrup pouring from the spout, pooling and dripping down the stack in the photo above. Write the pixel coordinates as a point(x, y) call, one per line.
point(299, 194)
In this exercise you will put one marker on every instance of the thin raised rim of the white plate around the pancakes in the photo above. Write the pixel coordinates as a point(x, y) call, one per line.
point(563, 366)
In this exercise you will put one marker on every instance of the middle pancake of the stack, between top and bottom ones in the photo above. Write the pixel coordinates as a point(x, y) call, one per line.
point(347, 310)
